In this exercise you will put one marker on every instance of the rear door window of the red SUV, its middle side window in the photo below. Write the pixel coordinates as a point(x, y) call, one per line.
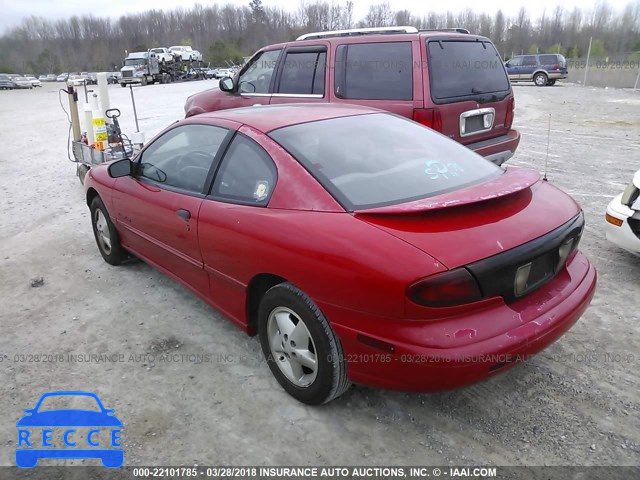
point(303, 73)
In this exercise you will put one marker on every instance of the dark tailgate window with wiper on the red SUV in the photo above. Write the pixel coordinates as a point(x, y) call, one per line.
point(461, 70)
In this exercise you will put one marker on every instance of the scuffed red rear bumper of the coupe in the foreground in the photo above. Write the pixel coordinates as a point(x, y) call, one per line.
point(445, 354)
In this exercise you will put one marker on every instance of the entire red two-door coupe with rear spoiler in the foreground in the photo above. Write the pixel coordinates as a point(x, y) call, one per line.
point(360, 246)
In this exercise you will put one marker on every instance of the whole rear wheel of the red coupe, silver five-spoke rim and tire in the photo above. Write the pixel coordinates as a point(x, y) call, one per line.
point(301, 349)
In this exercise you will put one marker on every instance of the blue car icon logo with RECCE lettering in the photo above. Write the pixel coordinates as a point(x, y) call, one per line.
point(36, 431)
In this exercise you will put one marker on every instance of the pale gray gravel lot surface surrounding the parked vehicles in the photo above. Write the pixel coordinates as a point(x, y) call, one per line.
point(571, 405)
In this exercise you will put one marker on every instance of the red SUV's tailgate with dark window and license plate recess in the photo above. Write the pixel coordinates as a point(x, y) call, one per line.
point(467, 83)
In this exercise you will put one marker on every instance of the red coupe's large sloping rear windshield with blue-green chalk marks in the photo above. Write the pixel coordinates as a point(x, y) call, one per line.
point(380, 159)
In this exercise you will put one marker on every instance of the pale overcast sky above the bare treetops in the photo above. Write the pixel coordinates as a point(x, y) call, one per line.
point(12, 11)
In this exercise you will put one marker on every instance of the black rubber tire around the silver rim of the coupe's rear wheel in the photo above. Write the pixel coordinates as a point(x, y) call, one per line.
point(330, 379)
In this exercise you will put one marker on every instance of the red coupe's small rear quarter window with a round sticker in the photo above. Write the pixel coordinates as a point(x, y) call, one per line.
point(247, 174)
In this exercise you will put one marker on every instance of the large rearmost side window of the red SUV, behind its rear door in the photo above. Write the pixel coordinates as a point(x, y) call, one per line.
point(375, 71)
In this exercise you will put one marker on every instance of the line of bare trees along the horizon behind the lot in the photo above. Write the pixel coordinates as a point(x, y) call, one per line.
point(226, 33)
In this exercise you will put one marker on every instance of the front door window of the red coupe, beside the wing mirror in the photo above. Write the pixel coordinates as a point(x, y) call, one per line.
point(182, 157)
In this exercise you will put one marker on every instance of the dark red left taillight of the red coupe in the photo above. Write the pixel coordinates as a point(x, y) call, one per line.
point(447, 289)
